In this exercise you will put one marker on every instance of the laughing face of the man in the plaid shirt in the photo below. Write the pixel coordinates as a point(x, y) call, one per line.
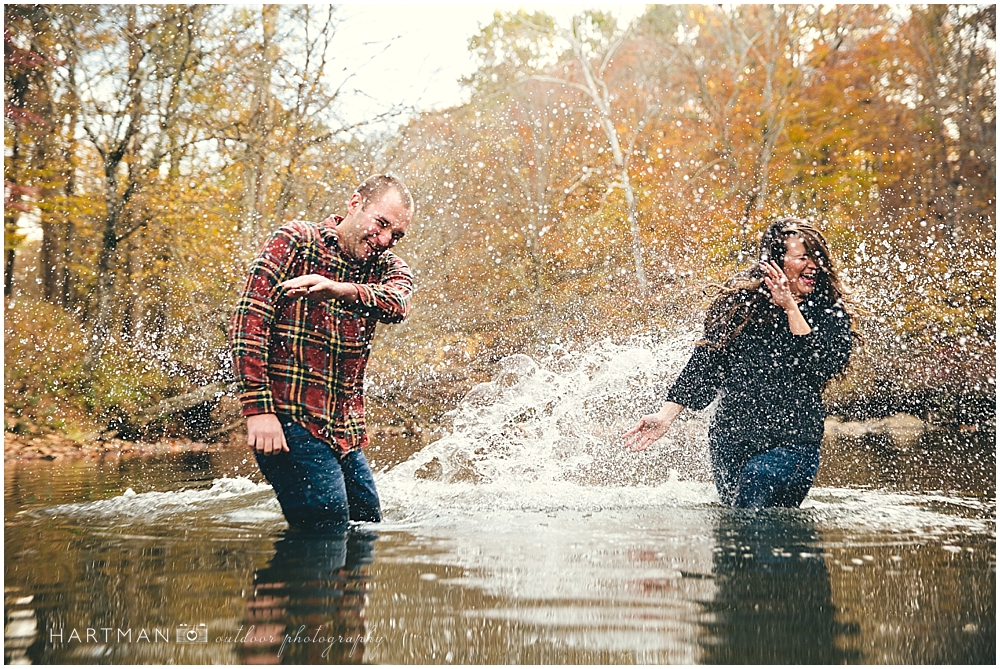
point(368, 232)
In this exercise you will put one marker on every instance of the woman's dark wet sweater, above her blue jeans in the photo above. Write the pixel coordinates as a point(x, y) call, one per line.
point(769, 380)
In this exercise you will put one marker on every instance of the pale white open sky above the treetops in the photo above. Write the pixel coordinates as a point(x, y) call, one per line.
point(416, 53)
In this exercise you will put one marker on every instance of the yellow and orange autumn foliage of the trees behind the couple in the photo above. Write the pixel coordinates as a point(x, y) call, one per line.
point(729, 116)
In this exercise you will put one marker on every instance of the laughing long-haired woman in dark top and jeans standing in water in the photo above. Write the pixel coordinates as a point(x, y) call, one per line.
point(773, 339)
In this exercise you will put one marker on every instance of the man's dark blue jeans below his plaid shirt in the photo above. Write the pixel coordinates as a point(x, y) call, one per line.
point(318, 486)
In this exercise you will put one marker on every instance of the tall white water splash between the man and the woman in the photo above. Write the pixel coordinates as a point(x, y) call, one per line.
point(546, 433)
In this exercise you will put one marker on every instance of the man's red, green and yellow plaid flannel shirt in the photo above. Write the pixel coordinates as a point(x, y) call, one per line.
point(306, 360)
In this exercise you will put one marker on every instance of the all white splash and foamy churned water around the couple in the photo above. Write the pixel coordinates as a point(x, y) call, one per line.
point(544, 436)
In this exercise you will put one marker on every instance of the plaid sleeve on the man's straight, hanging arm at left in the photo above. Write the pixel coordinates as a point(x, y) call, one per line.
point(251, 324)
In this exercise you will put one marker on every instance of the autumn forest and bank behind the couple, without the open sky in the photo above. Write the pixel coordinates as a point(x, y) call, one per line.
point(599, 177)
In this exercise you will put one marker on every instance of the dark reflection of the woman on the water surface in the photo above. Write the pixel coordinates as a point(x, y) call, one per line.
point(773, 599)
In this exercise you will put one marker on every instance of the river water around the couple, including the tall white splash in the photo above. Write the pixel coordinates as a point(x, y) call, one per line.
point(524, 535)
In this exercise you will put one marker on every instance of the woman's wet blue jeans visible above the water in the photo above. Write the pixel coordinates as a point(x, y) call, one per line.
point(749, 478)
